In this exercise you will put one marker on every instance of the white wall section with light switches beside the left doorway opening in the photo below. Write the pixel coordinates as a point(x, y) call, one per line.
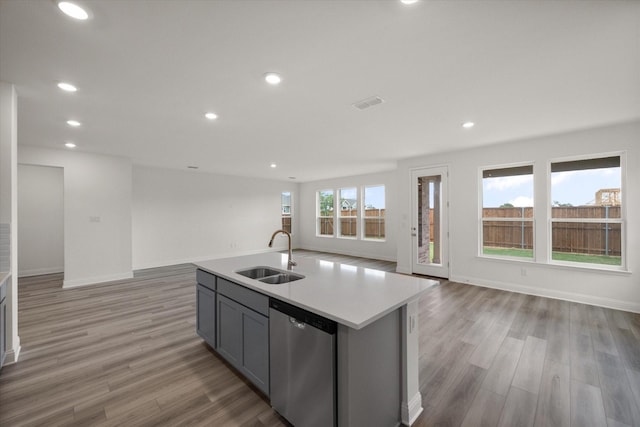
point(97, 213)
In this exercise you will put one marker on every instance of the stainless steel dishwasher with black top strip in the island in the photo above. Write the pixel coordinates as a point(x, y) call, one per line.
point(303, 365)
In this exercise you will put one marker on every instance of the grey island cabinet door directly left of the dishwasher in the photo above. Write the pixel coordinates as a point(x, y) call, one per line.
point(255, 340)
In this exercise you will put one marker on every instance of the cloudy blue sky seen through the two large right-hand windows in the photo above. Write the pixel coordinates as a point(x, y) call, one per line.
point(574, 187)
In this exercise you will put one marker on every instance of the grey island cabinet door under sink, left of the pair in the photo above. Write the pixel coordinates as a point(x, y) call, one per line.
point(229, 331)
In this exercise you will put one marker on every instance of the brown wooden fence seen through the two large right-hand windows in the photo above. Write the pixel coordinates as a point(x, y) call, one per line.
point(599, 238)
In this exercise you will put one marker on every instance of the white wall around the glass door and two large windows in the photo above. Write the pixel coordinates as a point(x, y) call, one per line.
point(605, 288)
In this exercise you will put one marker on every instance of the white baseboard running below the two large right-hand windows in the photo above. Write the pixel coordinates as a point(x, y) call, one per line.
point(550, 293)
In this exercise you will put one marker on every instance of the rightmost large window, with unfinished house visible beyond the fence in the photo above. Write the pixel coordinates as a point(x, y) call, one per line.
point(586, 211)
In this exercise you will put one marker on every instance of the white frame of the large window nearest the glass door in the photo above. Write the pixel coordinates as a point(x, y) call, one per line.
point(522, 219)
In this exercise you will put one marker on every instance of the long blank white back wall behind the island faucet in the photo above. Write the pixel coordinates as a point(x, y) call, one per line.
point(187, 216)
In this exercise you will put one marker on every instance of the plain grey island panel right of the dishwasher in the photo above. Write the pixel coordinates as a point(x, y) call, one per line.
point(370, 373)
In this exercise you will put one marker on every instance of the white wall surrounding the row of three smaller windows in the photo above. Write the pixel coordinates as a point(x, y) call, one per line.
point(365, 248)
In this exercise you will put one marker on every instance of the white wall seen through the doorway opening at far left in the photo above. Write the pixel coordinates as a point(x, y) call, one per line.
point(41, 227)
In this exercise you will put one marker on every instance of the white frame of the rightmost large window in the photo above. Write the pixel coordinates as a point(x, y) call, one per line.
point(622, 220)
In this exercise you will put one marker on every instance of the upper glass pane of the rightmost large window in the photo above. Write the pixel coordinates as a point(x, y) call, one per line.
point(586, 189)
